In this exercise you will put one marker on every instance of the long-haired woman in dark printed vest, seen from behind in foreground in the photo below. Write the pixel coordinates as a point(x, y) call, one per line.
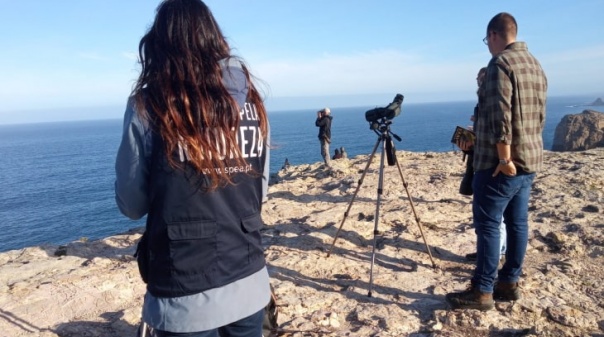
point(193, 159)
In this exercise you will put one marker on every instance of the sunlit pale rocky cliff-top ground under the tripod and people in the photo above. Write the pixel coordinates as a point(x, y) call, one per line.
point(93, 288)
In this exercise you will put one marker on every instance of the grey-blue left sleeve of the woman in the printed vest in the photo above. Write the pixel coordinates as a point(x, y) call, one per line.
point(132, 166)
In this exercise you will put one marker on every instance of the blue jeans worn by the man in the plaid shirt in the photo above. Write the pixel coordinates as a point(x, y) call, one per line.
point(495, 197)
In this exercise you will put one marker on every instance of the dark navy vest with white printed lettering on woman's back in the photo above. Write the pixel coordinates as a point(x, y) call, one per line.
point(198, 240)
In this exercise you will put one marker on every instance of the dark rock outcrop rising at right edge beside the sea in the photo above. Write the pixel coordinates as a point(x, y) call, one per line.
point(580, 132)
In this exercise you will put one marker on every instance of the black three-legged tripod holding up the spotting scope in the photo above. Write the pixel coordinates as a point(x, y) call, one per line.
point(382, 129)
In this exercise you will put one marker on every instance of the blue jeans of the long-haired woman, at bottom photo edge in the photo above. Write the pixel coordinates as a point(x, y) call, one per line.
point(250, 326)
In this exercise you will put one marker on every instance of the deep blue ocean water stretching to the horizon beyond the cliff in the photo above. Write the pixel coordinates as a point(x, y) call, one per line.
point(57, 178)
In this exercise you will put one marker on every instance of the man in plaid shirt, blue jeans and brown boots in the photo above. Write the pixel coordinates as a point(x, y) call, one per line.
point(507, 154)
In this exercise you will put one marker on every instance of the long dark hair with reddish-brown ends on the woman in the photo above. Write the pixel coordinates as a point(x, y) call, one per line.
point(181, 92)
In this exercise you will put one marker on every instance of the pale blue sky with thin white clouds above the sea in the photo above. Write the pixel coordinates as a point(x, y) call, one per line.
point(76, 59)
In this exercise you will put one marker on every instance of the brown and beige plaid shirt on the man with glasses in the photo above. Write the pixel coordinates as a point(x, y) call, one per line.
point(513, 111)
